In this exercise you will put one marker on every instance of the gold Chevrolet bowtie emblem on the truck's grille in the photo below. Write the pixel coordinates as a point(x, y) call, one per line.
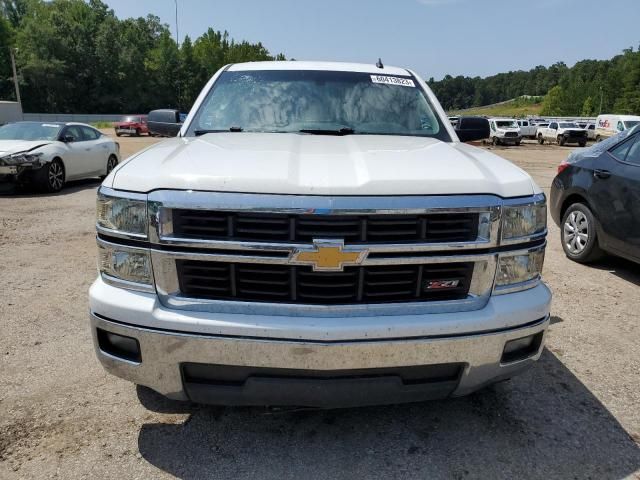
point(328, 256)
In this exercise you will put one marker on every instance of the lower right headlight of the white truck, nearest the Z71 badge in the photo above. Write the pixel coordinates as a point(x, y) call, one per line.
point(519, 271)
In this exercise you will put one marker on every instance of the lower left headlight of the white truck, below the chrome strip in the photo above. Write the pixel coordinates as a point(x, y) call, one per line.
point(125, 267)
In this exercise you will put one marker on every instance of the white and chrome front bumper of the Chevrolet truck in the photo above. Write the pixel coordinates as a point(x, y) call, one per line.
point(318, 362)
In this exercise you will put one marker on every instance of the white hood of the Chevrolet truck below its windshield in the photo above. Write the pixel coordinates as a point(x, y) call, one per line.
point(303, 164)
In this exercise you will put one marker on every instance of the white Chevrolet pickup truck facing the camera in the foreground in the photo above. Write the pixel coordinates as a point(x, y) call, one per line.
point(318, 235)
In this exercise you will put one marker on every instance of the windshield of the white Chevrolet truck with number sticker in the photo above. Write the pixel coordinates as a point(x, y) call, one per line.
point(317, 102)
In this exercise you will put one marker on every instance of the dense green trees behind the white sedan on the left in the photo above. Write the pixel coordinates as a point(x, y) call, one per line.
point(75, 56)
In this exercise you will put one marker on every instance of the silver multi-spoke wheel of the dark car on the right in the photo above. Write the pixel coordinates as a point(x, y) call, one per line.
point(578, 234)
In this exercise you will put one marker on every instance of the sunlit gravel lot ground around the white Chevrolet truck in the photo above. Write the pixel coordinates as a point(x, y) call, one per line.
point(576, 414)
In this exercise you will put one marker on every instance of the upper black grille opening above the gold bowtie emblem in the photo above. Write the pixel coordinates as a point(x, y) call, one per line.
point(274, 227)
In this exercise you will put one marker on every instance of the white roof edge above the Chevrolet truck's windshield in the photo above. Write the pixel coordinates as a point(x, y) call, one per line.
point(328, 66)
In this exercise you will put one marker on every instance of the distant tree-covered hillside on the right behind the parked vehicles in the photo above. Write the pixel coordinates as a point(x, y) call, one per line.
point(586, 89)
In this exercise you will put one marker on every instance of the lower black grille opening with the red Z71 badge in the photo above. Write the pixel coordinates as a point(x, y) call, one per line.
point(300, 284)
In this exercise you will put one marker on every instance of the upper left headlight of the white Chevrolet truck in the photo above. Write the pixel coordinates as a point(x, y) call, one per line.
point(123, 215)
